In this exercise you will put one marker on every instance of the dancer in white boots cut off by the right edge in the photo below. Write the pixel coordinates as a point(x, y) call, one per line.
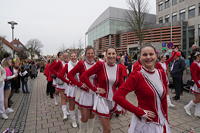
point(195, 73)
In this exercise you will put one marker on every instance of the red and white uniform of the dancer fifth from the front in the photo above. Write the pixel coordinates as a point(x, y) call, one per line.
point(55, 68)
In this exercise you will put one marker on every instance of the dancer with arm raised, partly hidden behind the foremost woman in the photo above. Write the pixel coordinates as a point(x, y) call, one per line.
point(163, 64)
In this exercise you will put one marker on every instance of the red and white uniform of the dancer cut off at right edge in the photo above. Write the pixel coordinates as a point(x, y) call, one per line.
point(195, 73)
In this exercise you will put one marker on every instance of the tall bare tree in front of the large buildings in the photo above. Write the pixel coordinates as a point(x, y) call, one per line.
point(136, 14)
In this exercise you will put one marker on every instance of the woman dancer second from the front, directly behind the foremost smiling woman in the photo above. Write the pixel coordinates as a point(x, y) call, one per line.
point(109, 78)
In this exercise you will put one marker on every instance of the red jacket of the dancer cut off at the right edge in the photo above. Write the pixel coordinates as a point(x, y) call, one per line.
point(195, 73)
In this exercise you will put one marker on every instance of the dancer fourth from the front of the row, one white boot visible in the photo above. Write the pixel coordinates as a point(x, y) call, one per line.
point(70, 90)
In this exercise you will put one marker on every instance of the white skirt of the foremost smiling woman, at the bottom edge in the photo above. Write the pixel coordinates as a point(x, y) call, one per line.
point(141, 126)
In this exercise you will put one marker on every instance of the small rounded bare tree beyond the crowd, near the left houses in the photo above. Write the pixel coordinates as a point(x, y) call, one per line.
point(34, 46)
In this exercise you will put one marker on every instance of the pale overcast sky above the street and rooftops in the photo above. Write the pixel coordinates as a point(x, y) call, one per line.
point(54, 22)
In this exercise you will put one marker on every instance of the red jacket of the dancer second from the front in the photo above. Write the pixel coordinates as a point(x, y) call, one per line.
point(101, 77)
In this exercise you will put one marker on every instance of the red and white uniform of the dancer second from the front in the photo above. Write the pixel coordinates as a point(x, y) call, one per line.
point(108, 78)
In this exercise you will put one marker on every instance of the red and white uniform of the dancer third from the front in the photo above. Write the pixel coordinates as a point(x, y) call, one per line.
point(84, 98)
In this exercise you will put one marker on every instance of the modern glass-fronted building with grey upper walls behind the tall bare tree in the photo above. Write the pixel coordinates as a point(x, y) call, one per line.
point(110, 22)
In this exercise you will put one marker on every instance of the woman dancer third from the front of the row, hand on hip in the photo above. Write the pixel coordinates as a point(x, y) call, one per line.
point(86, 100)
